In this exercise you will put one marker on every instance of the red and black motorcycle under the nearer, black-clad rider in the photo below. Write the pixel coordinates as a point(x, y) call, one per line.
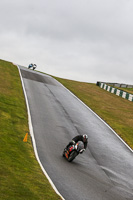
point(73, 150)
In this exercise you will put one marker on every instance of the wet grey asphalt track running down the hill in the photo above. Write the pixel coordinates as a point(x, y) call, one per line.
point(104, 171)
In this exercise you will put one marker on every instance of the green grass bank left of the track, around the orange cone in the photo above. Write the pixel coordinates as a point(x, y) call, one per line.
point(20, 174)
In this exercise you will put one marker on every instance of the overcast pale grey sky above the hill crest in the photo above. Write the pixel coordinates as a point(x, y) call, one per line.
point(84, 40)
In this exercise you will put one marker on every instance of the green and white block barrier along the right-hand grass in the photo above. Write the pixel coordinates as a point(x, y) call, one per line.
point(116, 91)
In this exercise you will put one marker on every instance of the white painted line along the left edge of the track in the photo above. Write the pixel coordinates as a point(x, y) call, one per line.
point(33, 138)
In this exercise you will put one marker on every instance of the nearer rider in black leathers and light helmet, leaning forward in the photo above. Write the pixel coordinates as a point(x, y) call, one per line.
point(83, 138)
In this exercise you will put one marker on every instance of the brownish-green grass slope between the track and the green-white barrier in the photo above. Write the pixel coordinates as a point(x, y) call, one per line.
point(114, 110)
